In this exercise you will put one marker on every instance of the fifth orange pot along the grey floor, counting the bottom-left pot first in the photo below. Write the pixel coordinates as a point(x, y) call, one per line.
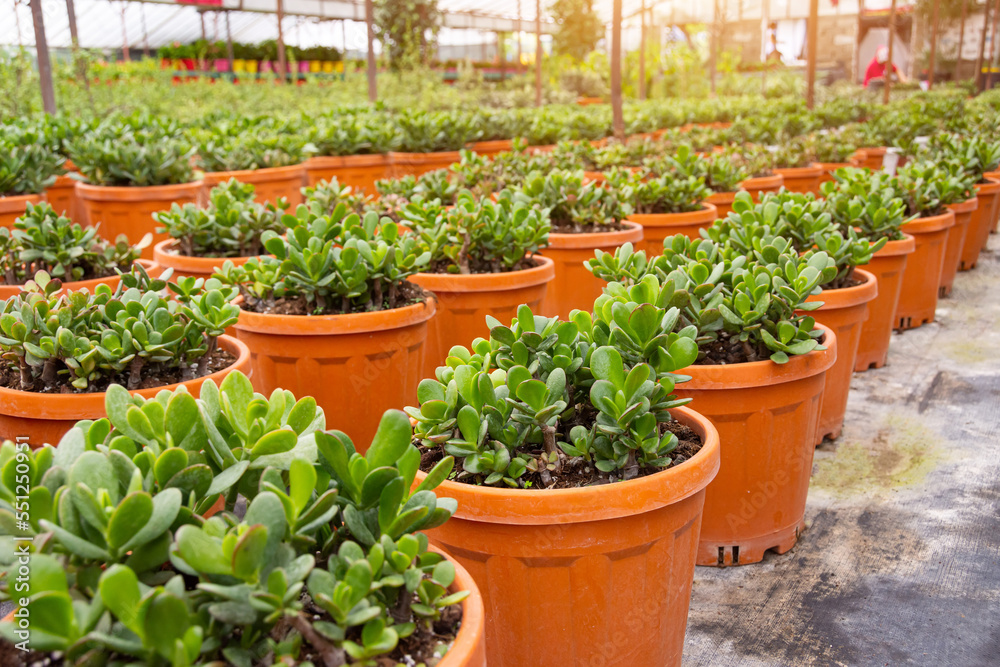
point(887, 266)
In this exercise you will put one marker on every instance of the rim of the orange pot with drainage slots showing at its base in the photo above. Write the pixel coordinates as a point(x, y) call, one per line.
point(753, 374)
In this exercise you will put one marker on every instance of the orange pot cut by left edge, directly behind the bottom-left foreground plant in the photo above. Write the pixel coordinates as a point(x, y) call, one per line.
point(45, 418)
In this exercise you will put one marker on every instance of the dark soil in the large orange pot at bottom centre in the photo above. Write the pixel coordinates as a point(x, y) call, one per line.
point(576, 472)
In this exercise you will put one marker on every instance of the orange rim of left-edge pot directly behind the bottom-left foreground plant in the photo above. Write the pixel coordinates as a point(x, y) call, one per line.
point(36, 405)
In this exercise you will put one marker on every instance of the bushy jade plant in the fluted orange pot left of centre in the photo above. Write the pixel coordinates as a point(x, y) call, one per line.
point(330, 263)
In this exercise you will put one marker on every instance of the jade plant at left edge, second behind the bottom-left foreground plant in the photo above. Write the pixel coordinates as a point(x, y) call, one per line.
point(42, 240)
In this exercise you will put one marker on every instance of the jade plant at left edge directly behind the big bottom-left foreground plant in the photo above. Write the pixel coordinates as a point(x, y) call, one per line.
point(132, 335)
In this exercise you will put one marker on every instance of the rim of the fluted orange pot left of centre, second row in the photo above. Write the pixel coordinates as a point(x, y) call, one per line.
point(335, 325)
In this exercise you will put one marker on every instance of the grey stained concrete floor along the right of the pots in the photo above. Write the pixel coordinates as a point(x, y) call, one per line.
point(900, 564)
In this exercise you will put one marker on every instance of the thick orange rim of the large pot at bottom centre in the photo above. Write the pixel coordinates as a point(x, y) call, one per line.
point(542, 507)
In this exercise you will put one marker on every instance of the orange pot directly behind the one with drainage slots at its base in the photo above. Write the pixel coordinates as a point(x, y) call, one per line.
point(845, 312)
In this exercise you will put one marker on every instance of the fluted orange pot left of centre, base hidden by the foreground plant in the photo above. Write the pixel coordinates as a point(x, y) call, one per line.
point(356, 366)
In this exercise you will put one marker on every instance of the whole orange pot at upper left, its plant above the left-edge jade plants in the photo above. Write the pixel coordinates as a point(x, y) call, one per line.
point(129, 211)
